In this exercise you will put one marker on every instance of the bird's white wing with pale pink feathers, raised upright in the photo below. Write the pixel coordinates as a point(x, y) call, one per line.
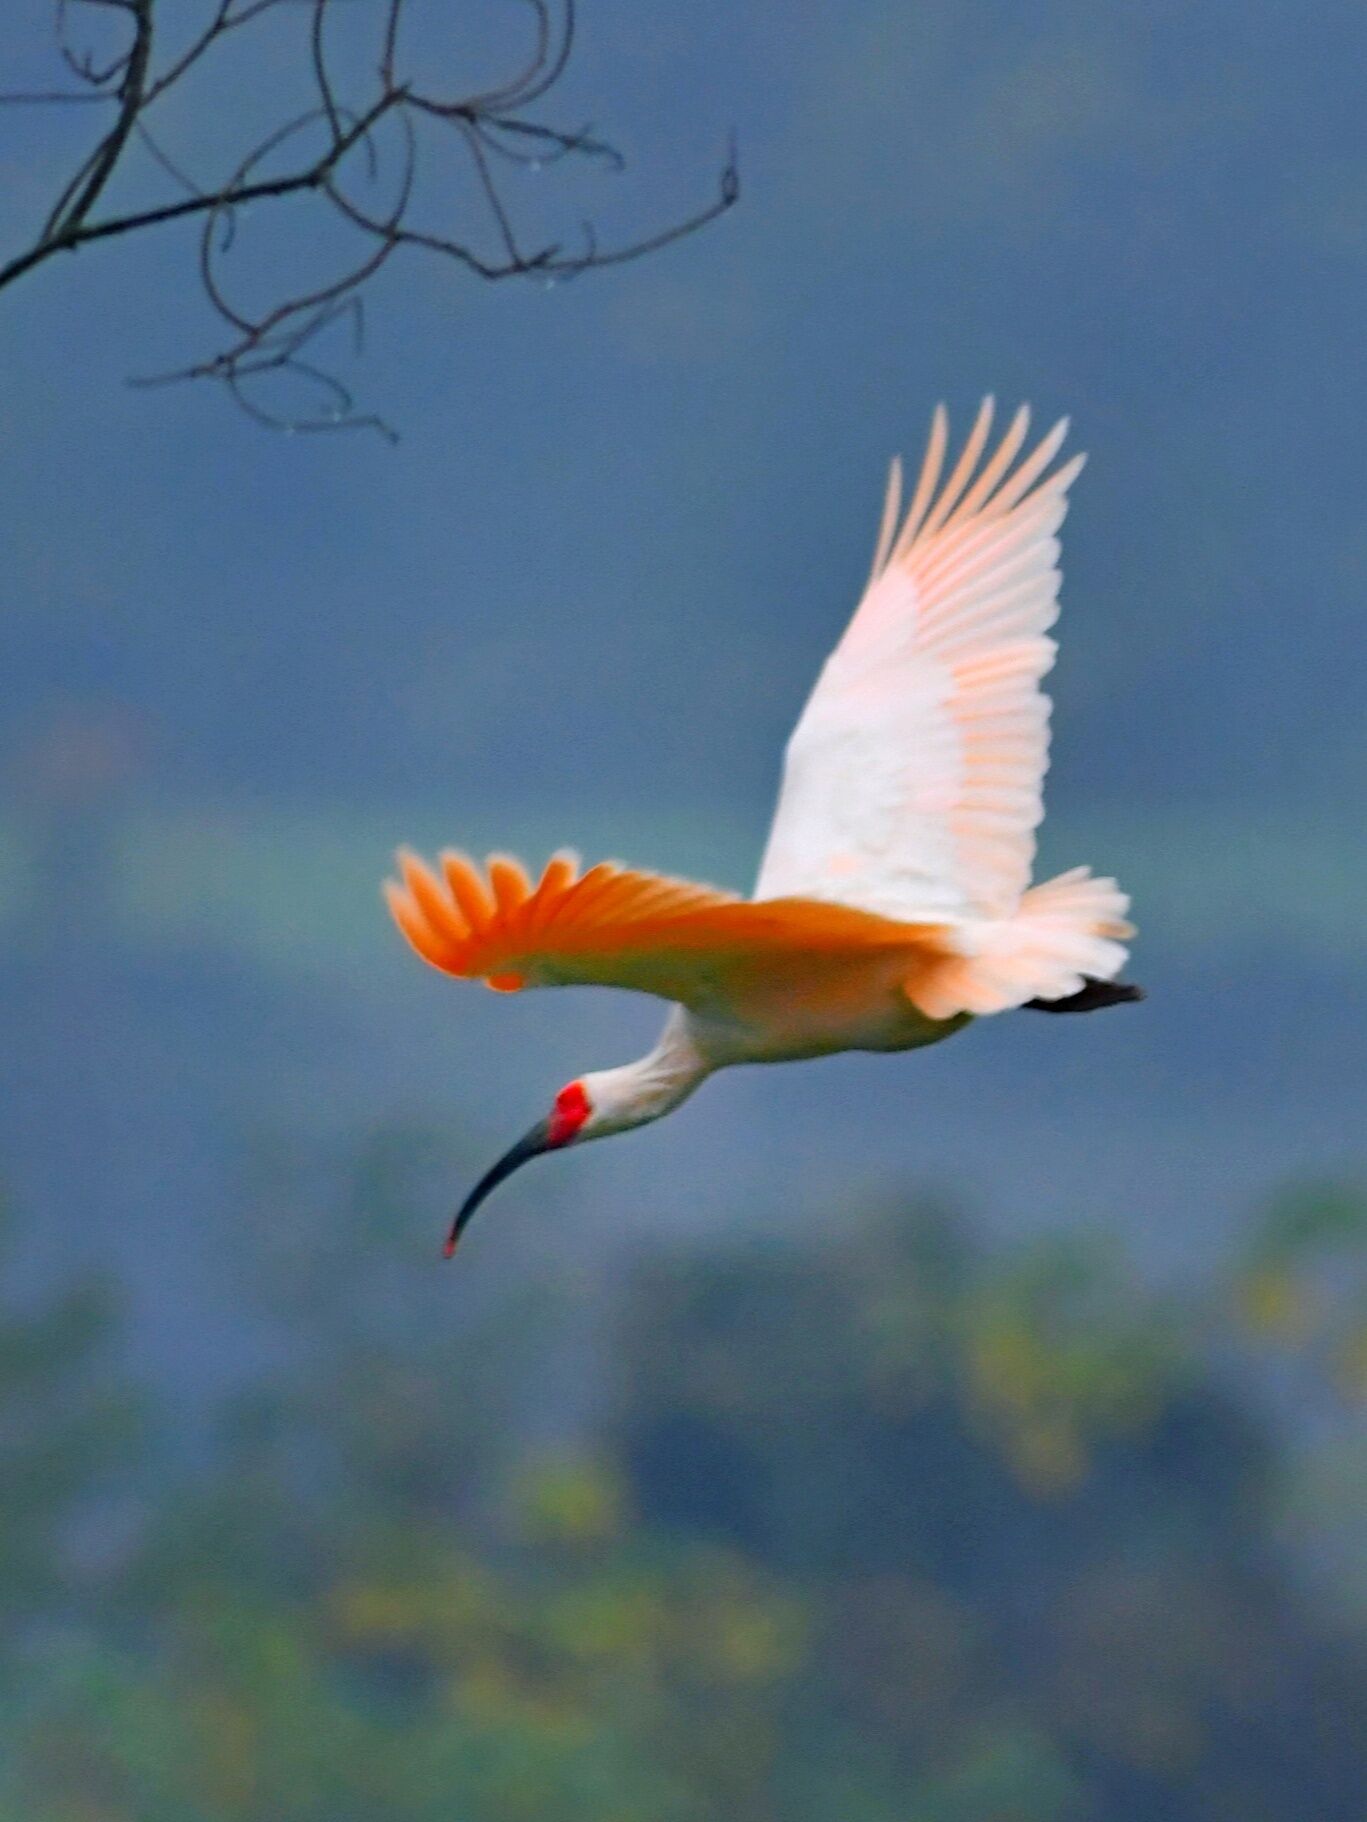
point(912, 783)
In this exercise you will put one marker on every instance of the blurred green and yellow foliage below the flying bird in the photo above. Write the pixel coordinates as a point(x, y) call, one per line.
point(870, 1526)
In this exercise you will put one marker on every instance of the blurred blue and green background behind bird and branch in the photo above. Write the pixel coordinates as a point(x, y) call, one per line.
point(892, 1440)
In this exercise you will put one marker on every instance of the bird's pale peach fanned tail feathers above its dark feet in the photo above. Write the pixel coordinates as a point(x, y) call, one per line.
point(1064, 934)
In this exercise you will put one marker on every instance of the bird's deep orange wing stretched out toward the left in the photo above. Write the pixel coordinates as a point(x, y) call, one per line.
point(619, 928)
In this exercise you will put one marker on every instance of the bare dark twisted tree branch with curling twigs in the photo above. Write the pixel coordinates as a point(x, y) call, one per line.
point(269, 347)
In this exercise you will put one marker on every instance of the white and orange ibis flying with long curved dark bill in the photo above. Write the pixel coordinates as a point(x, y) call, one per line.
point(894, 901)
